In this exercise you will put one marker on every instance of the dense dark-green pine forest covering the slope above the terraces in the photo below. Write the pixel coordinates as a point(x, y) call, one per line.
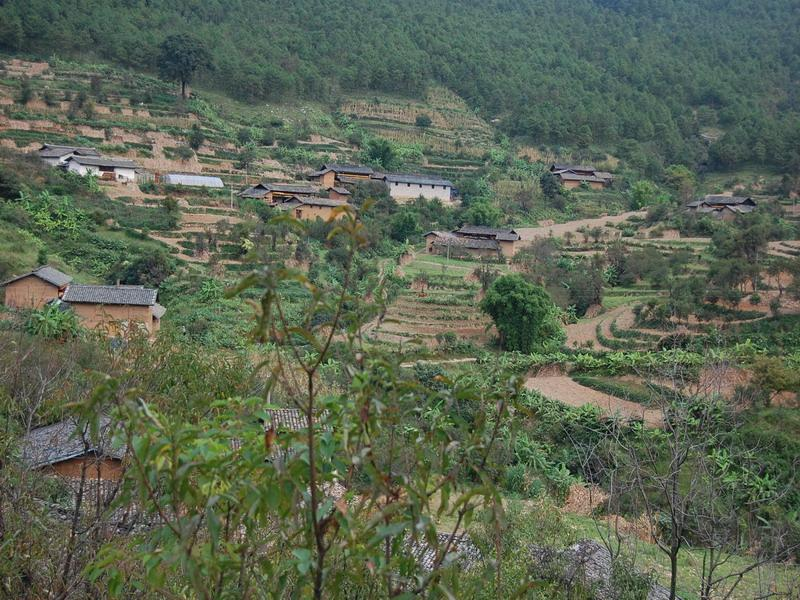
point(691, 81)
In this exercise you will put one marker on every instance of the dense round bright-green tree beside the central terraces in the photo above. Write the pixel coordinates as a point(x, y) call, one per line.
point(523, 313)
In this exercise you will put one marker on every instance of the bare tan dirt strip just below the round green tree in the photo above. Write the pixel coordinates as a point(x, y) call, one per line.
point(569, 392)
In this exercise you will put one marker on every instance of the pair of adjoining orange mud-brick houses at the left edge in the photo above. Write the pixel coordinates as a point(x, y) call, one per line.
point(111, 309)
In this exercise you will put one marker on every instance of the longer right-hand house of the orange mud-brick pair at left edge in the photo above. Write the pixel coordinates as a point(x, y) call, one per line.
point(114, 309)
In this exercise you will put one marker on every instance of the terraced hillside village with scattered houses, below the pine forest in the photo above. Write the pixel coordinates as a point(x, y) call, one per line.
point(195, 290)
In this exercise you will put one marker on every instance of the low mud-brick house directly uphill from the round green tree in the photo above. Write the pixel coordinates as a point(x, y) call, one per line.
point(473, 241)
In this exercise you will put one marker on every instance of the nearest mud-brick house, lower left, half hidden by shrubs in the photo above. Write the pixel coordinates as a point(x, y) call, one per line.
point(69, 450)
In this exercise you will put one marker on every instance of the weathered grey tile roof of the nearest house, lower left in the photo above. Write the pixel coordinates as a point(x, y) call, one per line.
point(64, 440)
